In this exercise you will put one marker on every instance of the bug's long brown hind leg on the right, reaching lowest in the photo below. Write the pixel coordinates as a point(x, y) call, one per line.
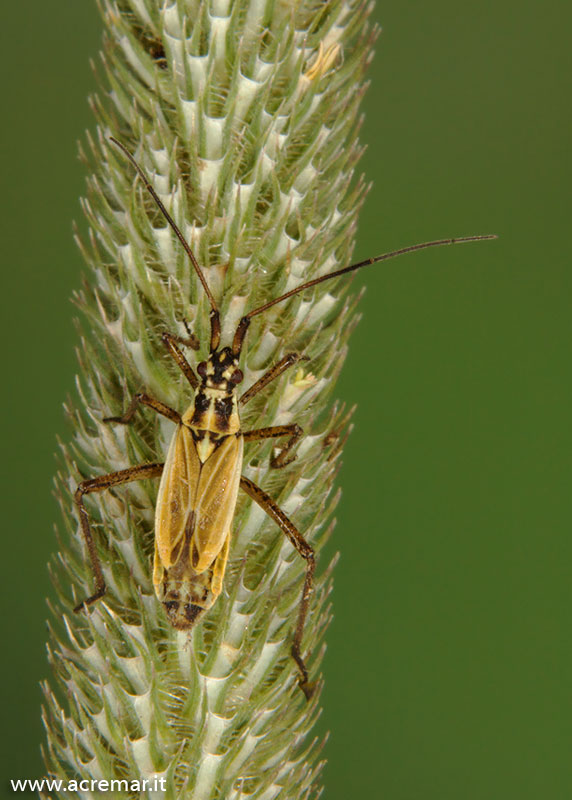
point(307, 552)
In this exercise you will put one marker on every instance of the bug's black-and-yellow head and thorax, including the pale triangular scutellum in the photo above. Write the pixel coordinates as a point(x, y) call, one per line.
point(215, 407)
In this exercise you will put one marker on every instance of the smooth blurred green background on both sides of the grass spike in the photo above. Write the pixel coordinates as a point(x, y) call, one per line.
point(449, 661)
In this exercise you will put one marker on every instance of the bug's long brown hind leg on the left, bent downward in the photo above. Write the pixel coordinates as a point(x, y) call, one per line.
point(99, 484)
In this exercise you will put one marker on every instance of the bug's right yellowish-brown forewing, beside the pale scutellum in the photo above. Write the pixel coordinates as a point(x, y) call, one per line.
point(216, 500)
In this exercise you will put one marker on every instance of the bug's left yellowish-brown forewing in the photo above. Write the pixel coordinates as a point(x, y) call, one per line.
point(176, 498)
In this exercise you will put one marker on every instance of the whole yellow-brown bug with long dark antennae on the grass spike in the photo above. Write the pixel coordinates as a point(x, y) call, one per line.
point(201, 476)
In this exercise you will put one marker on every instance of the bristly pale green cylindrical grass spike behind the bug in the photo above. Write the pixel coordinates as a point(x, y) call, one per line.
point(244, 115)
